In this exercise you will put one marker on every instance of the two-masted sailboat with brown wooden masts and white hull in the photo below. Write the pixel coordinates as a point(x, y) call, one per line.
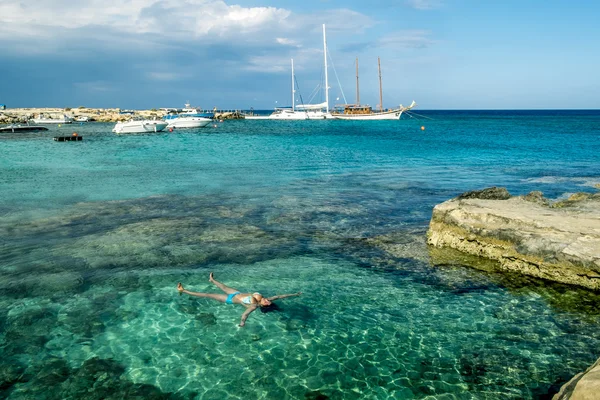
point(358, 112)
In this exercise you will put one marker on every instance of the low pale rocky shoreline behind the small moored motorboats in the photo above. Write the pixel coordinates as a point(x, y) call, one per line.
point(22, 115)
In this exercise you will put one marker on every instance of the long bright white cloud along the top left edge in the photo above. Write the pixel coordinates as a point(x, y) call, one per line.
point(169, 18)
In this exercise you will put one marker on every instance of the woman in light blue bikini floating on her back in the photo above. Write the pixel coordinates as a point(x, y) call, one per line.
point(249, 300)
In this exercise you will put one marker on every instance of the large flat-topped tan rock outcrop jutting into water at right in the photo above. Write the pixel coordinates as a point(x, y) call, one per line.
point(558, 242)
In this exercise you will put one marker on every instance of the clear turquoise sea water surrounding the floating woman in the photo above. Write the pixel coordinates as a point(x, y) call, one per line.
point(96, 234)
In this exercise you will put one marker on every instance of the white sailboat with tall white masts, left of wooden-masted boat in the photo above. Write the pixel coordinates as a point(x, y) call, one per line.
point(303, 111)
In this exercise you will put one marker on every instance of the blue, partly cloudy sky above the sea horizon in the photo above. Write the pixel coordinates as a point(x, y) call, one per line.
point(236, 54)
